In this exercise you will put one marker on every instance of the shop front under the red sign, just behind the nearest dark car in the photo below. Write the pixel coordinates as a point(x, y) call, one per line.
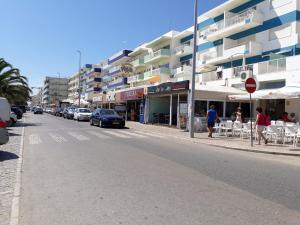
point(135, 102)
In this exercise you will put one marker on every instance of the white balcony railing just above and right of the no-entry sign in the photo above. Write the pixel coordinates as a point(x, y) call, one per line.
point(273, 66)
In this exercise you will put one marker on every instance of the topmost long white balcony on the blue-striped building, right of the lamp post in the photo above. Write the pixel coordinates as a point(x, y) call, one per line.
point(233, 25)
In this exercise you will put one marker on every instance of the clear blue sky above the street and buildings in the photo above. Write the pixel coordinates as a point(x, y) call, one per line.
point(40, 37)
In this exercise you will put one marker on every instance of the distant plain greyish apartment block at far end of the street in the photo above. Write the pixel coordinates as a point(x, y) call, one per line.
point(54, 90)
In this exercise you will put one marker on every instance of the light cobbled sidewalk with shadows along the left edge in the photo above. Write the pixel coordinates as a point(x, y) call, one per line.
point(9, 155)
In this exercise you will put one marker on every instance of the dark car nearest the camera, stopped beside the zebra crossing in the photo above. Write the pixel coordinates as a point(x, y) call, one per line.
point(107, 118)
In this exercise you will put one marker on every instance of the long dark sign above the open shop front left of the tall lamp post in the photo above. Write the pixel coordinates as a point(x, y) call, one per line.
point(169, 87)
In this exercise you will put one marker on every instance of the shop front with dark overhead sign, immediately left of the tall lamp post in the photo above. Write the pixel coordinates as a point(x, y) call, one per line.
point(166, 104)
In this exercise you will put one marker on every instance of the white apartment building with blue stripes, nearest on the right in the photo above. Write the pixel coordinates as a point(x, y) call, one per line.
point(239, 39)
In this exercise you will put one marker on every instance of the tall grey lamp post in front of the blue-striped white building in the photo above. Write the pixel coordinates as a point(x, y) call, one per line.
point(192, 98)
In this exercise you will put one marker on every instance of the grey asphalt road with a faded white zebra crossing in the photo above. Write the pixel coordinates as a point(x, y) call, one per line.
point(75, 174)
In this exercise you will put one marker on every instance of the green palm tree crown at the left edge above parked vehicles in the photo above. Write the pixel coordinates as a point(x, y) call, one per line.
point(13, 85)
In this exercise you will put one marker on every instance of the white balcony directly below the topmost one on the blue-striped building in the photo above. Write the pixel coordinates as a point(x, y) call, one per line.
point(248, 49)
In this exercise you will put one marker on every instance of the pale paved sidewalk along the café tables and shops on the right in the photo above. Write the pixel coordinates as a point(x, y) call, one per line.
point(234, 143)
